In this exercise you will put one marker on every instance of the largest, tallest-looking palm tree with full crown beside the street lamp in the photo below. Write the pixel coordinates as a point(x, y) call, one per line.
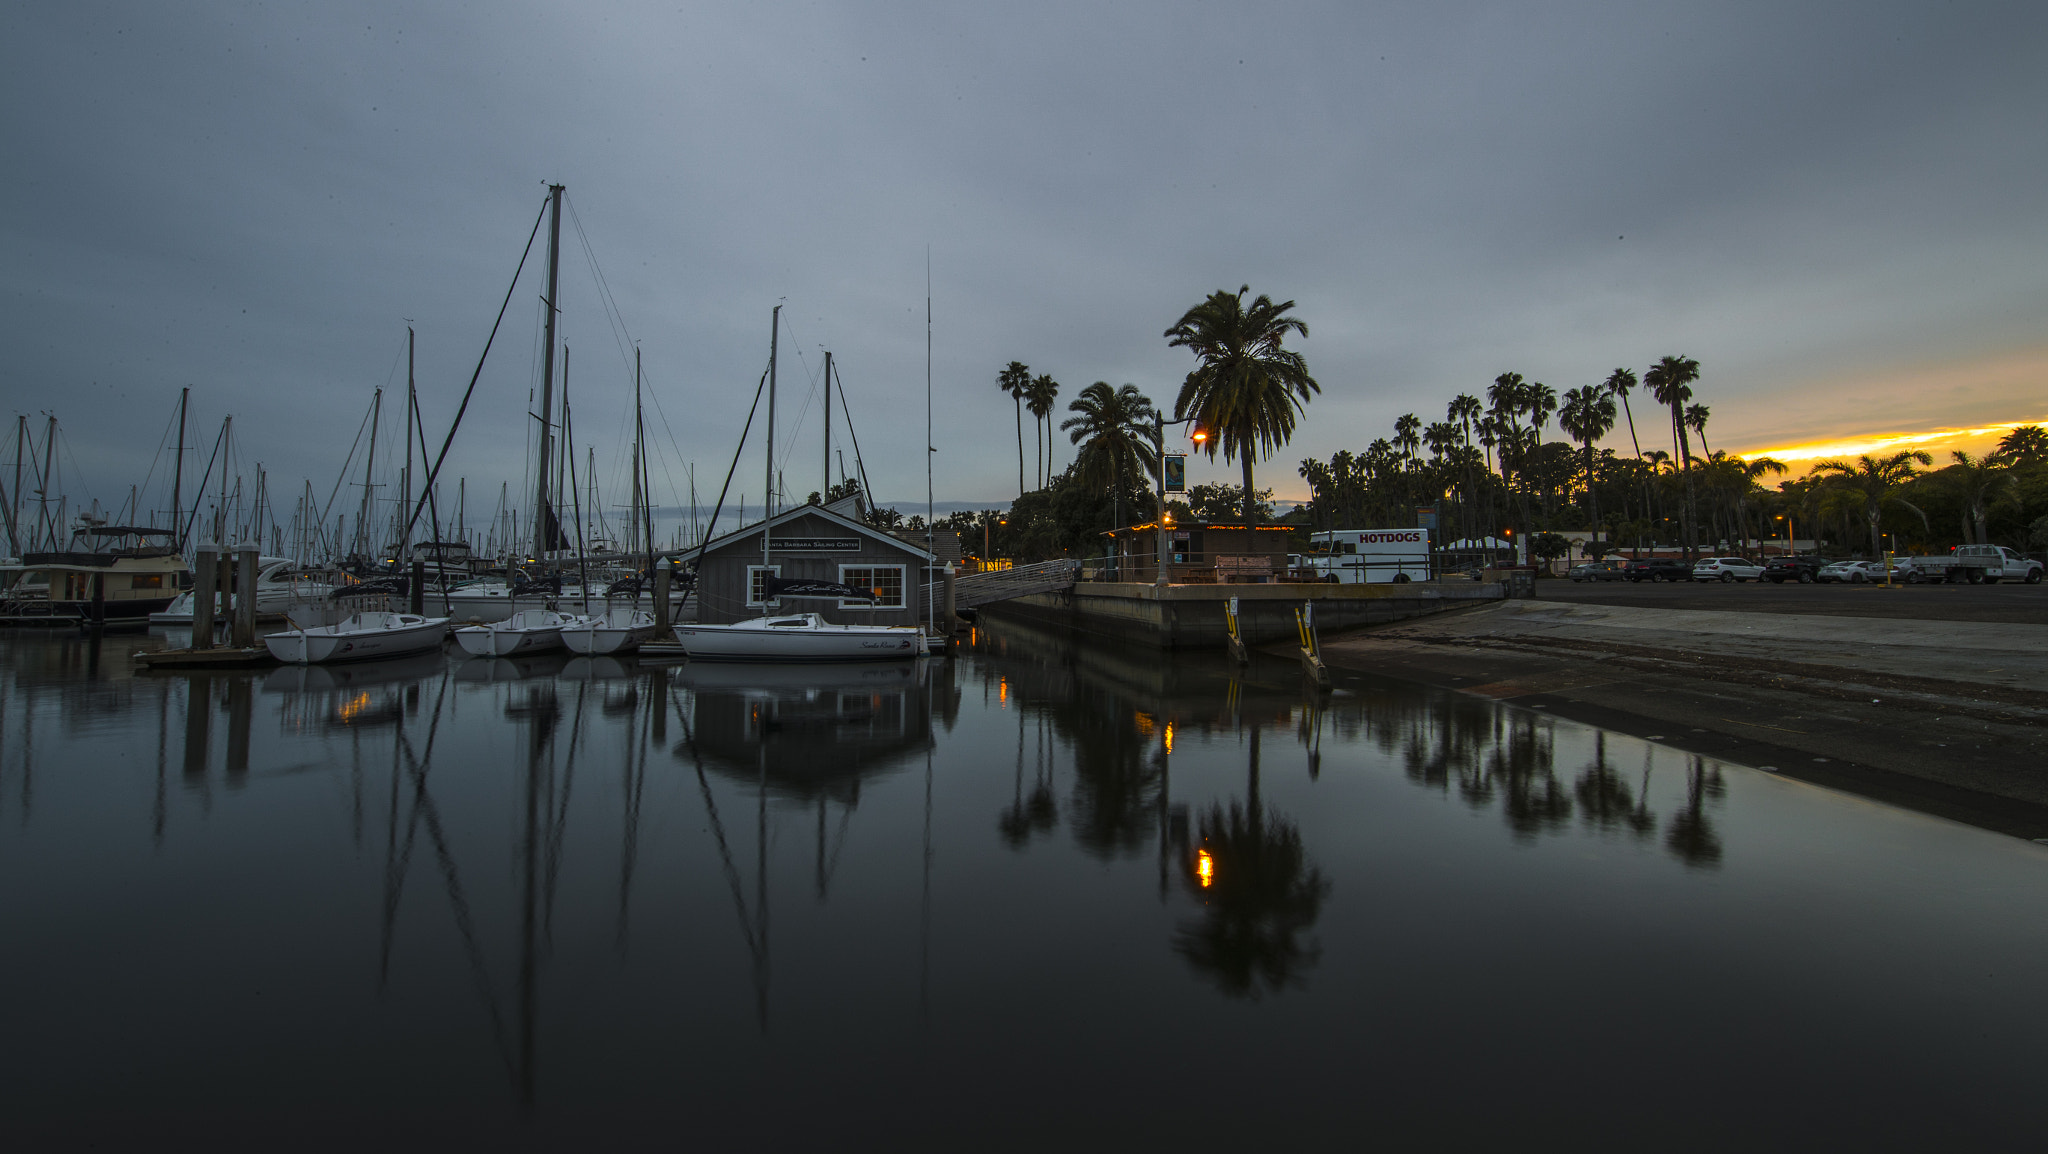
point(1246, 388)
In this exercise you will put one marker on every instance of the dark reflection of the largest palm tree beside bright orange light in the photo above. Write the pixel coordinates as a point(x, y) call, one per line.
point(1258, 891)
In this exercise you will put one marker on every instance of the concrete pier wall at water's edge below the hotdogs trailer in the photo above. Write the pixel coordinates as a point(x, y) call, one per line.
point(1191, 616)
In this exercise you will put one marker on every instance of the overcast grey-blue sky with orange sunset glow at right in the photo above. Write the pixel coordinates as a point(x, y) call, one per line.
point(1834, 208)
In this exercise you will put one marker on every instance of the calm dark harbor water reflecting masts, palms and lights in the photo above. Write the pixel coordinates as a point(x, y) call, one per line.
point(1039, 897)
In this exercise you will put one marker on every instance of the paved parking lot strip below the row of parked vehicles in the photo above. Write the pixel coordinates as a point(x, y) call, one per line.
point(2016, 604)
